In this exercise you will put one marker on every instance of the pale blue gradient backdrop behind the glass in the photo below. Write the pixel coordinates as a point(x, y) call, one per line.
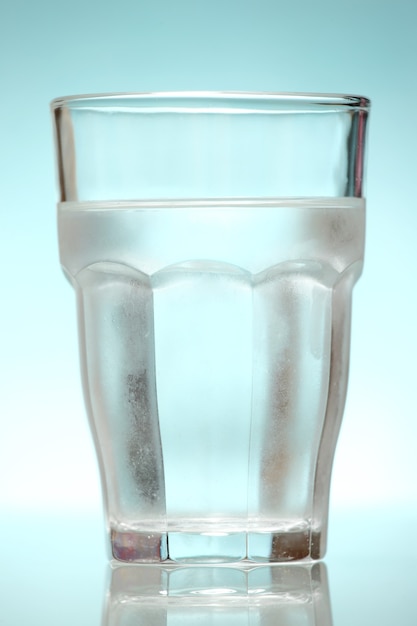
point(48, 49)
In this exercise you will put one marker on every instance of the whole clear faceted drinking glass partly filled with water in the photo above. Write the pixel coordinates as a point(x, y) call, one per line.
point(213, 241)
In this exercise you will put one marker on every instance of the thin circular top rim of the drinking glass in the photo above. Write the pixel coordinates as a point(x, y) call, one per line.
point(271, 102)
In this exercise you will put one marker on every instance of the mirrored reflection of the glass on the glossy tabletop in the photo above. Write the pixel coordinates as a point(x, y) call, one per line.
point(288, 595)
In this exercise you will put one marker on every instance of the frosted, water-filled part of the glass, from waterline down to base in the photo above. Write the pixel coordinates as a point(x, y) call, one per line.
point(215, 344)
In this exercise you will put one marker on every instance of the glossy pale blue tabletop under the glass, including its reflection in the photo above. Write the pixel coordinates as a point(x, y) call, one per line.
point(55, 571)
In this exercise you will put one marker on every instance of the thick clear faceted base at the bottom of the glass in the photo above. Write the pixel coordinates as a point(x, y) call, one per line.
point(212, 548)
